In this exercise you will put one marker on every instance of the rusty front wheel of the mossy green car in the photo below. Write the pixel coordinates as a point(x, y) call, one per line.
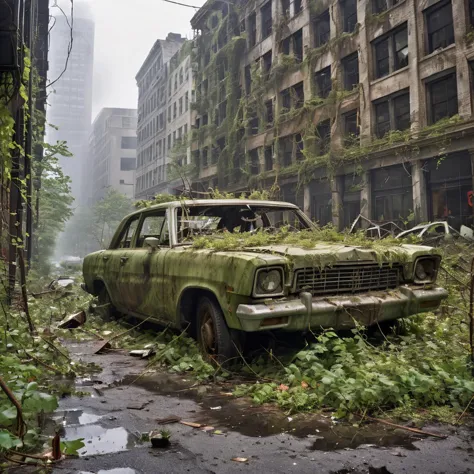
point(213, 335)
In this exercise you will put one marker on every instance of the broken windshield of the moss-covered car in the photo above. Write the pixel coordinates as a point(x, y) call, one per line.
point(196, 221)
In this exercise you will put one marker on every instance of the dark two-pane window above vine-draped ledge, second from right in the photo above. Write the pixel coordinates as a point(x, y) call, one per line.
point(392, 113)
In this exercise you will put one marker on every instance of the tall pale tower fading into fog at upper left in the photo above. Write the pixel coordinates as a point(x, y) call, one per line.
point(70, 99)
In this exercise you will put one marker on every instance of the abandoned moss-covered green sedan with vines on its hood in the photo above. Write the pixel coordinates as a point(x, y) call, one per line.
point(155, 269)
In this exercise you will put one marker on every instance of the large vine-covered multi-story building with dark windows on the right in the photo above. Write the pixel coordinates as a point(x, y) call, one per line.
point(343, 106)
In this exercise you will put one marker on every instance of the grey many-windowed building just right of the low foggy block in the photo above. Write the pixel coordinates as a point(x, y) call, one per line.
point(152, 148)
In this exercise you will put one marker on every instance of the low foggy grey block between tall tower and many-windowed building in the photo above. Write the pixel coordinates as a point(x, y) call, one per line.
point(112, 156)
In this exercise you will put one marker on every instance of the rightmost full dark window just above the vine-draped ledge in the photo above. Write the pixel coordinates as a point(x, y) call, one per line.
point(443, 97)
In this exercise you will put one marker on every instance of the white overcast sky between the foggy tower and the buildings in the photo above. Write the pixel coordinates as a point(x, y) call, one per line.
point(125, 31)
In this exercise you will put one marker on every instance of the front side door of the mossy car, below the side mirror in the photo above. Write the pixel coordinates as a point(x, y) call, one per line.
point(143, 267)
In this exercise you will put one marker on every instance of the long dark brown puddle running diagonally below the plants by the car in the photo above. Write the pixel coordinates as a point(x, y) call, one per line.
point(242, 416)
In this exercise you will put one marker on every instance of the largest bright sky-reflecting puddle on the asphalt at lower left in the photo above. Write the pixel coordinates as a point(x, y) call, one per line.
point(100, 440)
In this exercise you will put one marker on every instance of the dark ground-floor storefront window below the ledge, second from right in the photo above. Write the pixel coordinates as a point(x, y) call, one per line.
point(392, 193)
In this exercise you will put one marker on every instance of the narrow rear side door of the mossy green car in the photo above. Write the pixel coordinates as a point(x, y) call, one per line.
point(112, 259)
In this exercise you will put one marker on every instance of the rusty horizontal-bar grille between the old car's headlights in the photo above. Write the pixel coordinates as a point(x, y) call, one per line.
point(348, 278)
